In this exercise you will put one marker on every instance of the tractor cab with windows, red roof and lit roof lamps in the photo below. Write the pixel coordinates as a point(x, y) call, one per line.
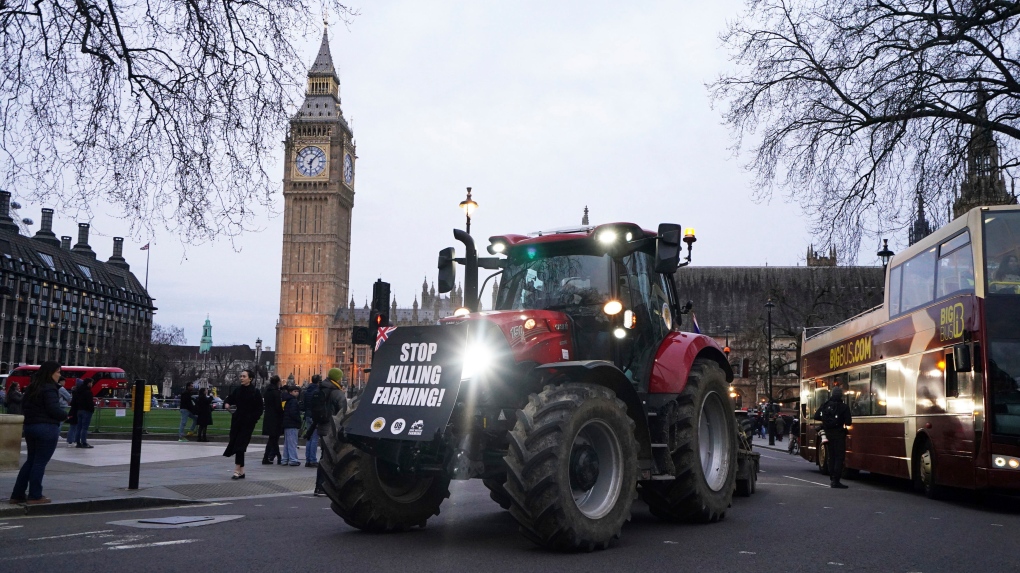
point(605, 281)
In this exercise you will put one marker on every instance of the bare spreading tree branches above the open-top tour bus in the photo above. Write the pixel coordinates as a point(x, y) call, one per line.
point(856, 107)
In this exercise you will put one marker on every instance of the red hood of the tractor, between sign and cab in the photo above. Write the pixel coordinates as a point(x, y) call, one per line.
point(534, 336)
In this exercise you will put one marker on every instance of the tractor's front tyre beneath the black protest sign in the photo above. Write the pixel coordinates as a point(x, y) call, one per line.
point(371, 495)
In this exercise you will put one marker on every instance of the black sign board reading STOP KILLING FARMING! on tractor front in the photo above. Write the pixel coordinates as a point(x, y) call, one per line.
point(414, 385)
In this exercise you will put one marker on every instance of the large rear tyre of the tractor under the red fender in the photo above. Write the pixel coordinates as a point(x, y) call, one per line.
point(702, 440)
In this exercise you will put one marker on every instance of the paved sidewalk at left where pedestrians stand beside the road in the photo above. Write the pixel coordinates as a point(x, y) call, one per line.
point(170, 472)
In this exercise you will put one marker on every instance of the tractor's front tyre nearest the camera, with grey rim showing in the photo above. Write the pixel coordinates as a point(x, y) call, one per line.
point(573, 467)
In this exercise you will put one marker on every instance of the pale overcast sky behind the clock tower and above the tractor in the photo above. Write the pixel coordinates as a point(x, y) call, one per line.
point(542, 108)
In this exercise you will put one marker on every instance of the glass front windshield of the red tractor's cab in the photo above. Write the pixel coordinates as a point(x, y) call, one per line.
point(555, 283)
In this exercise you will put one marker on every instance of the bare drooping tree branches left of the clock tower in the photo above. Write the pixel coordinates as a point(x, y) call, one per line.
point(168, 111)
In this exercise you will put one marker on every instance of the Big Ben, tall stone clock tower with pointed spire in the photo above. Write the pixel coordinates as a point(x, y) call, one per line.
point(319, 197)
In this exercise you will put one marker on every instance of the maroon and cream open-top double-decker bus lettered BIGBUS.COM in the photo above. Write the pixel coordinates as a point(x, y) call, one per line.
point(932, 377)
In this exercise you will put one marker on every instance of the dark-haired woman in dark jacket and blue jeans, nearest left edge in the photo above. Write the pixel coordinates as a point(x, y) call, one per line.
point(42, 432)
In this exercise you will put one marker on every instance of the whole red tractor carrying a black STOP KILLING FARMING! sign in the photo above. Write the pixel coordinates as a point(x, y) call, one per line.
point(577, 395)
